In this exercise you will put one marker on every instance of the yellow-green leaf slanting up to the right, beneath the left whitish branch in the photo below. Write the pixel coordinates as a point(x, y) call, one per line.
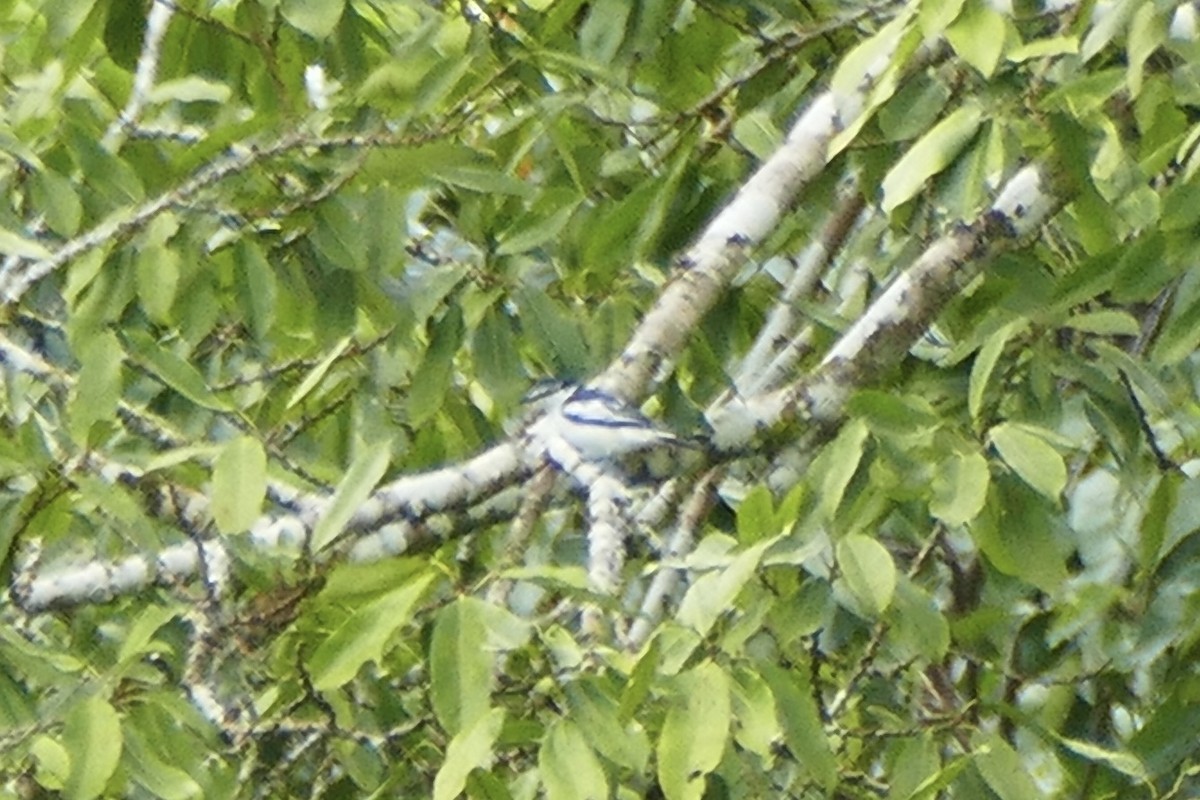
point(364, 636)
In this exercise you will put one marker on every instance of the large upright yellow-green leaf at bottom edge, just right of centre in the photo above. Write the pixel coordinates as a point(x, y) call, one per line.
point(695, 732)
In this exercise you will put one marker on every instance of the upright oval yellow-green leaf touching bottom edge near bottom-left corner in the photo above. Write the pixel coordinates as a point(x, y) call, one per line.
point(92, 736)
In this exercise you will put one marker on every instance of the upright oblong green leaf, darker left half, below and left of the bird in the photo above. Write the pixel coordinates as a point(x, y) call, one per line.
point(460, 665)
